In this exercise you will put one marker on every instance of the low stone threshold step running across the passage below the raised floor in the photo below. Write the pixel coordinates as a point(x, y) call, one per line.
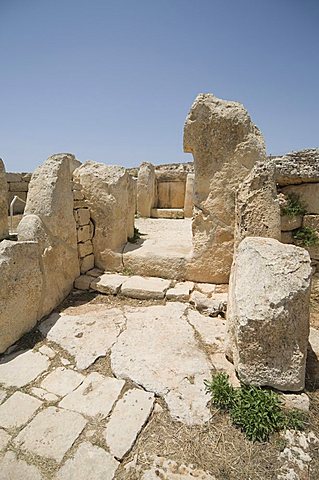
point(203, 295)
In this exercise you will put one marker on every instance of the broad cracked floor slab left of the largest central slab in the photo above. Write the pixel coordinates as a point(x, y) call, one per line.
point(86, 336)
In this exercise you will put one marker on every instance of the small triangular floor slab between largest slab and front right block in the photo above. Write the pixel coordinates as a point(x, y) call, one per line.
point(212, 330)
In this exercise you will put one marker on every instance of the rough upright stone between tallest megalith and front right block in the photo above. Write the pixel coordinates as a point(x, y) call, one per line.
point(257, 205)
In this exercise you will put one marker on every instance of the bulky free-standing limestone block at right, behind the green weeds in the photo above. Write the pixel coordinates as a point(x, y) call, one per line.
point(269, 328)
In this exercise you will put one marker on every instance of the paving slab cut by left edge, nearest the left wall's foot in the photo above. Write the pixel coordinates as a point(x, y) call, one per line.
point(21, 368)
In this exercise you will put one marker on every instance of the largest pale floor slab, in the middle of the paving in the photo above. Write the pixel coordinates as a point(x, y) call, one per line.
point(152, 354)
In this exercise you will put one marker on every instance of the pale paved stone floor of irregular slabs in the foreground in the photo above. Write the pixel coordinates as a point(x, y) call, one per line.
point(74, 404)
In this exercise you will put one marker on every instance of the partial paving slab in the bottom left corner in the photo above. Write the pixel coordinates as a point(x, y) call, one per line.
point(16, 469)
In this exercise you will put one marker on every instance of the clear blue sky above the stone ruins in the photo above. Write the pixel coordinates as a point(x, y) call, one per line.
point(113, 80)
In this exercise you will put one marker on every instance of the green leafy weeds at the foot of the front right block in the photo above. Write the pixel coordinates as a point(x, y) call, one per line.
point(256, 411)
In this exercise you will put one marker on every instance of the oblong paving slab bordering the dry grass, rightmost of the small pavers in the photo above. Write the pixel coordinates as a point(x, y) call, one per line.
point(127, 420)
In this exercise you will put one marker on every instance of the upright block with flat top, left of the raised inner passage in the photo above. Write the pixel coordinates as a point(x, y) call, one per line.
point(108, 193)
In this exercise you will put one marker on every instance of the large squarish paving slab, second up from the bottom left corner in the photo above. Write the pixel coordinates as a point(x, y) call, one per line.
point(51, 433)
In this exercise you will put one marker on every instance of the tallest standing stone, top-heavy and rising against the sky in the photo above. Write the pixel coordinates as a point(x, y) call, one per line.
point(225, 145)
